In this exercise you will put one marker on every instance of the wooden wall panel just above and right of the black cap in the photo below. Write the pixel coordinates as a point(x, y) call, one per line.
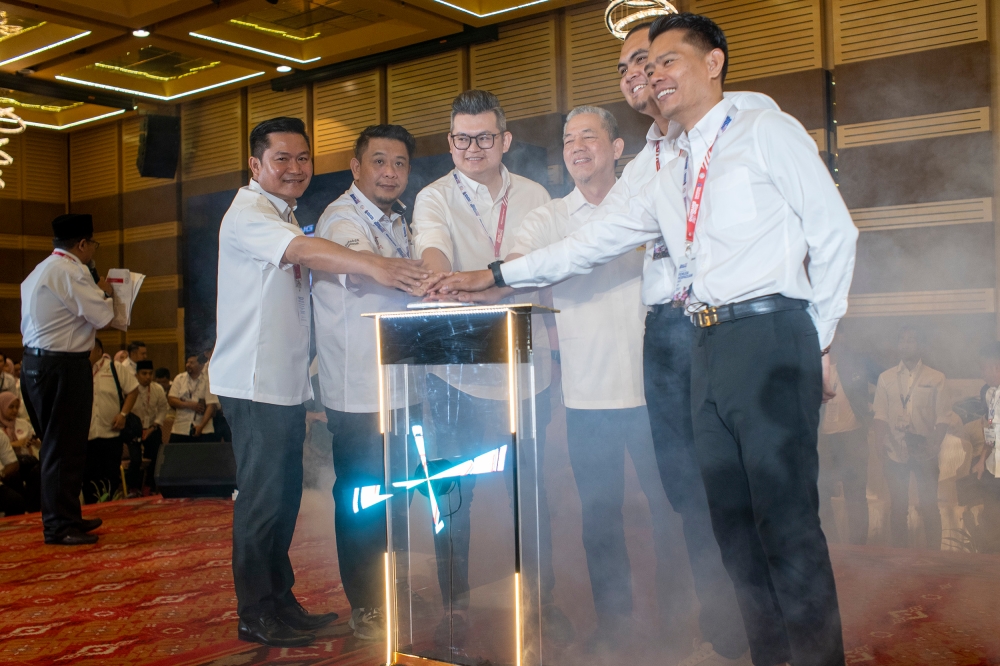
point(93, 163)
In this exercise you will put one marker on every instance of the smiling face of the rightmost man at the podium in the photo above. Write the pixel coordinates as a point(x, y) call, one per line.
point(685, 78)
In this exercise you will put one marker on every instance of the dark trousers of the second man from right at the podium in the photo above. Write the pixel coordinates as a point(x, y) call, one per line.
point(667, 374)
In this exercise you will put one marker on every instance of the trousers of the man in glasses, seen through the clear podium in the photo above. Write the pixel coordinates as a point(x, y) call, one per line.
point(461, 419)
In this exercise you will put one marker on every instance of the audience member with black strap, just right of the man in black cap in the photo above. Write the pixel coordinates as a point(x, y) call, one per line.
point(101, 478)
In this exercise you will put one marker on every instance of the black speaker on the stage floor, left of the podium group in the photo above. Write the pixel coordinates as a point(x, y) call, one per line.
point(196, 469)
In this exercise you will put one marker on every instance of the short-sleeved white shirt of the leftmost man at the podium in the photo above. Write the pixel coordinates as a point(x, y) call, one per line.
point(263, 312)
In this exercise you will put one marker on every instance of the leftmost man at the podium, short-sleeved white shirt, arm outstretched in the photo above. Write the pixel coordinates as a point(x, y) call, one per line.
point(260, 369)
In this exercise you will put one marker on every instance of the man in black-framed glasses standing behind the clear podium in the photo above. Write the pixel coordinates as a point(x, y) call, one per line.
point(465, 221)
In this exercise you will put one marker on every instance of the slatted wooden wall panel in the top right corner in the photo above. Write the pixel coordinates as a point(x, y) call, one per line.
point(866, 29)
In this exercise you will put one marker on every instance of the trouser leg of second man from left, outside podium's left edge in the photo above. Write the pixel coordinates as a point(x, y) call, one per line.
point(357, 462)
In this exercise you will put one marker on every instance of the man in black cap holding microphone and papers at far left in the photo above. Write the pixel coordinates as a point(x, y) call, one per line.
point(61, 308)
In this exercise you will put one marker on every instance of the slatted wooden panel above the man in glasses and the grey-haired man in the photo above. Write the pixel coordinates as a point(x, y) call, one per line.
point(519, 68)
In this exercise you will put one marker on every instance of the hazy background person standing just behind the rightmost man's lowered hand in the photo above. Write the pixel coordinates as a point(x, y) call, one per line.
point(843, 444)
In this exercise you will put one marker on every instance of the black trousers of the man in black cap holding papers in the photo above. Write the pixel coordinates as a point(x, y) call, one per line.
point(59, 396)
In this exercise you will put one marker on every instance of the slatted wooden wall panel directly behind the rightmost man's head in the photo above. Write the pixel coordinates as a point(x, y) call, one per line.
point(768, 37)
